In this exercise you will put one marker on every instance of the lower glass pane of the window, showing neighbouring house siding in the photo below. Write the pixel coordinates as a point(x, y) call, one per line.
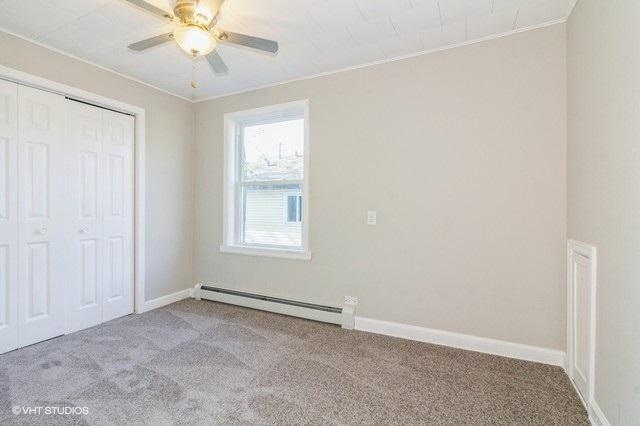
point(266, 210)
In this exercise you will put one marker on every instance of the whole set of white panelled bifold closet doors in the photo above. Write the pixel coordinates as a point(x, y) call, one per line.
point(66, 215)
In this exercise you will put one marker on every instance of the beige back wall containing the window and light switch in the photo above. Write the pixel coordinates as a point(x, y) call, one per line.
point(462, 154)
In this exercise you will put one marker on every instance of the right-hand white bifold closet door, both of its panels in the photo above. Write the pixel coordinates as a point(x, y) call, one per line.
point(101, 217)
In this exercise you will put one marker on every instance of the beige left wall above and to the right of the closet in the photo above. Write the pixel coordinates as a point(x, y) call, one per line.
point(169, 155)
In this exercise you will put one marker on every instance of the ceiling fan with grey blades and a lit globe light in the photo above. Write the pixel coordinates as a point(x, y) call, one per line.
point(196, 32)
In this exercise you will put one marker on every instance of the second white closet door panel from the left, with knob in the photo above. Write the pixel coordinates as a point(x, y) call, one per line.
point(42, 202)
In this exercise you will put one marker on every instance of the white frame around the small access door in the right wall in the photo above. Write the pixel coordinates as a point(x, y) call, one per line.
point(582, 249)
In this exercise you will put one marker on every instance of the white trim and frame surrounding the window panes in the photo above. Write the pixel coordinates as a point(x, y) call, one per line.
point(231, 229)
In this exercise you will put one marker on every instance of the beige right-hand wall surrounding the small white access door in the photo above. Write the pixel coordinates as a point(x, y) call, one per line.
point(604, 187)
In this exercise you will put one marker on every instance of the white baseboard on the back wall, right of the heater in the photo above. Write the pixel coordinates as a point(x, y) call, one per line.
point(462, 341)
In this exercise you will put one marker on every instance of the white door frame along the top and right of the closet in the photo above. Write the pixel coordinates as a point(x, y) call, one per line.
point(26, 79)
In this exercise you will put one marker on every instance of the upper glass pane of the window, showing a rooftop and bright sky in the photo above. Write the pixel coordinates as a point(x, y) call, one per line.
point(273, 151)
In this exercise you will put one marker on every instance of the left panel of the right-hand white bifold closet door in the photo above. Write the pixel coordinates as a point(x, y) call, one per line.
point(85, 139)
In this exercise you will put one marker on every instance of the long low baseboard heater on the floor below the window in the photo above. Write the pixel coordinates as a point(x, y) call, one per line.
point(340, 316)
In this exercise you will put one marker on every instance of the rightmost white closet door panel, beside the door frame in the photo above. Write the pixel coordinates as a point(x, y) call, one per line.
point(118, 215)
